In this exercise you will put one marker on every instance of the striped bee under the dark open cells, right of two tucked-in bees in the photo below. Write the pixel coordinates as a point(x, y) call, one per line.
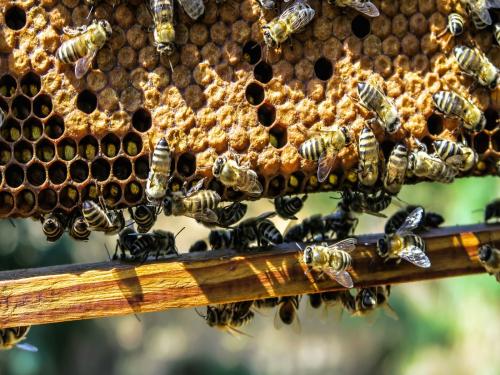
point(100, 220)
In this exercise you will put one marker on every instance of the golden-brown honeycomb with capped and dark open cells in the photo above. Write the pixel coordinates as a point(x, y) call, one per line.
point(222, 89)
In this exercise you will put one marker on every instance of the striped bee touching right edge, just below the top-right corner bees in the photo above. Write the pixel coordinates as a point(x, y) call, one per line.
point(474, 63)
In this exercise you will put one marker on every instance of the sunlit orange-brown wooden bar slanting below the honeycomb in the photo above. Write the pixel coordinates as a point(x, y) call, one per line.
point(85, 291)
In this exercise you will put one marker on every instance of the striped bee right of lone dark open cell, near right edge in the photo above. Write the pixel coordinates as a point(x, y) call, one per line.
point(453, 105)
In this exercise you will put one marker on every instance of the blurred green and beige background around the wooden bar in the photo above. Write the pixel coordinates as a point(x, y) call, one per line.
point(445, 326)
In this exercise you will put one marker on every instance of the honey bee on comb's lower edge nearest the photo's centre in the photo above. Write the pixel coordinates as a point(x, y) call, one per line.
point(238, 177)
